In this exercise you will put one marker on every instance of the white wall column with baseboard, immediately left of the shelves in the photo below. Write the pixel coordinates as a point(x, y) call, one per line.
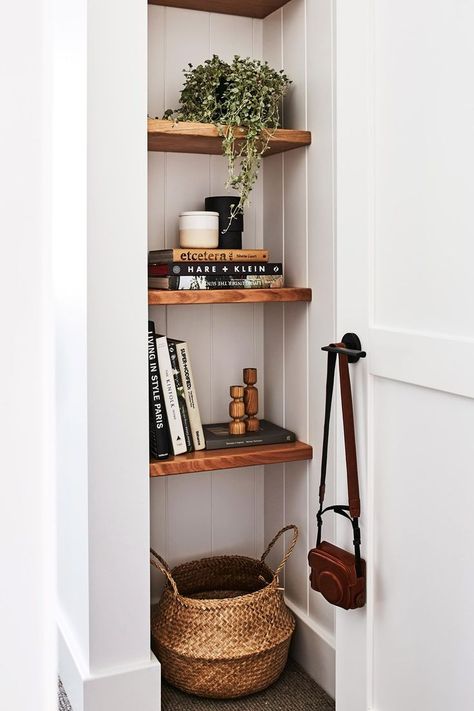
point(99, 204)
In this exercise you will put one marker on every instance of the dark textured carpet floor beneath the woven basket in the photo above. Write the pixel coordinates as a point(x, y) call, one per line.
point(294, 691)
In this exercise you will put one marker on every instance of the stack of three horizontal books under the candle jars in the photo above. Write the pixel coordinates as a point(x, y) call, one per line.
point(177, 269)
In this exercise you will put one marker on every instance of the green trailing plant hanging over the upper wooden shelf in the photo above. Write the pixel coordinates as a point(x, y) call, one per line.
point(246, 93)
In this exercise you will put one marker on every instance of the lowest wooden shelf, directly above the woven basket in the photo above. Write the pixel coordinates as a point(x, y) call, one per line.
point(210, 460)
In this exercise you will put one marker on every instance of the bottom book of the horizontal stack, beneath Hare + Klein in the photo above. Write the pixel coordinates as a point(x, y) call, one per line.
point(252, 281)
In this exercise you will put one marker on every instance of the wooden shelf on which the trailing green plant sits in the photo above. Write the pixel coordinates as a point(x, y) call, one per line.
point(189, 137)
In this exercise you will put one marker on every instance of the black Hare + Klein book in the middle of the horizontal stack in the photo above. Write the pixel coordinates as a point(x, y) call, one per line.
point(239, 269)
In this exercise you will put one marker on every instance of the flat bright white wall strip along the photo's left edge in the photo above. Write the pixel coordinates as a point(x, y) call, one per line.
point(27, 519)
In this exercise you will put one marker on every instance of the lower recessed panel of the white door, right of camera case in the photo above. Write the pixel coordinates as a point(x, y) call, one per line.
point(423, 560)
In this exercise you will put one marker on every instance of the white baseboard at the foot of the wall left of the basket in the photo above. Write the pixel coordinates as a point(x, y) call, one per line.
point(124, 689)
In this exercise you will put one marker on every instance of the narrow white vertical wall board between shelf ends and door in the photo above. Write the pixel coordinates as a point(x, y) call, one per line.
point(321, 266)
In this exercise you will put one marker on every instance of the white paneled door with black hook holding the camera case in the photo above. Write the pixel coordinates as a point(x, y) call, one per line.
point(405, 248)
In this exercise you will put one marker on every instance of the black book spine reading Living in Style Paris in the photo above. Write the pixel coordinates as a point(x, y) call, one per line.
point(159, 433)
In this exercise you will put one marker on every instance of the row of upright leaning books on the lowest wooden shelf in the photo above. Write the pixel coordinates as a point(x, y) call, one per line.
point(175, 422)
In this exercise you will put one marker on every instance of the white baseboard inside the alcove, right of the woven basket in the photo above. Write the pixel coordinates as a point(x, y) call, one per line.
point(314, 649)
